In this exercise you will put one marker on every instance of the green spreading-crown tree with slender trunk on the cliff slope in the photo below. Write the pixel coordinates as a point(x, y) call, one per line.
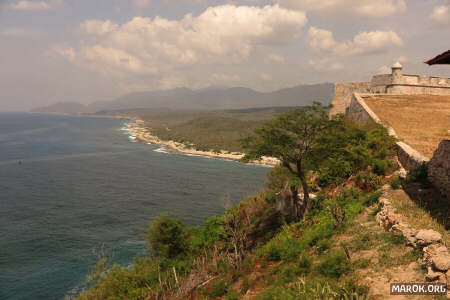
point(292, 138)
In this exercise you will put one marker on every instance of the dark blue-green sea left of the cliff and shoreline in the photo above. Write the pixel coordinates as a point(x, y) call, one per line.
point(71, 185)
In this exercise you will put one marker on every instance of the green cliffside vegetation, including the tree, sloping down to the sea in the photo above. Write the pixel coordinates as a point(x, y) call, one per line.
point(253, 249)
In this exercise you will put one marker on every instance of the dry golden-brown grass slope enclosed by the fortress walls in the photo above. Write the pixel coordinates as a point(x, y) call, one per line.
point(422, 121)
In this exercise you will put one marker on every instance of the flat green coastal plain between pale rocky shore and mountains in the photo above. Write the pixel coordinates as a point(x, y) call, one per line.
point(207, 130)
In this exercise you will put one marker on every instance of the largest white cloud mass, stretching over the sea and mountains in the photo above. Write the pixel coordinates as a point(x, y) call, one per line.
point(158, 47)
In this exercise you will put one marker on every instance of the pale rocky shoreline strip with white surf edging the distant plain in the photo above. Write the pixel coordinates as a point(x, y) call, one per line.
point(140, 132)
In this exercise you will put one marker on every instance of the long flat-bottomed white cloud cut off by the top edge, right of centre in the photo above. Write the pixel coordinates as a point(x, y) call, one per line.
point(363, 8)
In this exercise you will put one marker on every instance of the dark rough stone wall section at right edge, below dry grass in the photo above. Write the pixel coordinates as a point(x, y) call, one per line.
point(439, 168)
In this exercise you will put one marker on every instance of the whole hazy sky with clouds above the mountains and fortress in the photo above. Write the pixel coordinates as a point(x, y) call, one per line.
point(84, 50)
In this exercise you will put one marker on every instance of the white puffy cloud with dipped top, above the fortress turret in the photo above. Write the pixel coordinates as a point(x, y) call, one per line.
point(322, 40)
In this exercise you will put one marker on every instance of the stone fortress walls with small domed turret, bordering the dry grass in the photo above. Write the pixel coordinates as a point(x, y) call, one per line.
point(347, 100)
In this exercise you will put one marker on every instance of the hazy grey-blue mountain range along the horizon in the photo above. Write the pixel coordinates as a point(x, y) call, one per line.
point(211, 98)
